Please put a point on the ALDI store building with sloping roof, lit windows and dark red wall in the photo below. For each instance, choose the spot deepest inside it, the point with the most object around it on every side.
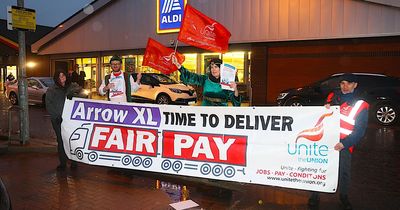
(274, 44)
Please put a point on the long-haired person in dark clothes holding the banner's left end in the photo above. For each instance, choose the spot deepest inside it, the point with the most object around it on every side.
(55, 99)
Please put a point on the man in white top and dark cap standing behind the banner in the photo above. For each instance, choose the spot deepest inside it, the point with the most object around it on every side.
(118, 85)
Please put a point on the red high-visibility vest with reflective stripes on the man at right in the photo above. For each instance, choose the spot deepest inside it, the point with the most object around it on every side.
(348, 115)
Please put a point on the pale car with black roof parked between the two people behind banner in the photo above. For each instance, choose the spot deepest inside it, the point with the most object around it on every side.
(161, 89)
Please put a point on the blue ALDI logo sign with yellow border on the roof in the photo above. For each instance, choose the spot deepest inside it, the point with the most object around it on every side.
(169, 15)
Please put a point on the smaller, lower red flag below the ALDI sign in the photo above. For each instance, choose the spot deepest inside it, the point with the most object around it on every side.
(159, 57)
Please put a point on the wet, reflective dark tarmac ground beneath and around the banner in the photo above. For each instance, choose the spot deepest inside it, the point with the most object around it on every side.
(33, 182)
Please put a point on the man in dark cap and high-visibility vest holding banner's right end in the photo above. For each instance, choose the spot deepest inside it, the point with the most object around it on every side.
(353, 123)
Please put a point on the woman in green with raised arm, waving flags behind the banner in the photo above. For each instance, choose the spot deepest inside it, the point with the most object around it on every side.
(213, 94)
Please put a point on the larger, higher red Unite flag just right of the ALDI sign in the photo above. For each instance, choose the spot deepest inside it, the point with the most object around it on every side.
(201, 31)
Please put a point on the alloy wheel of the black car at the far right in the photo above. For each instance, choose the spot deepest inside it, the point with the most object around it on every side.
(385, 114)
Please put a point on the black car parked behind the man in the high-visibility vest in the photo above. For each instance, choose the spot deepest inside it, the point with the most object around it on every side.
(380, 91)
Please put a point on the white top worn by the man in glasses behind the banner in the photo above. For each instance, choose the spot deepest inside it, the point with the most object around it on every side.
(117, 93)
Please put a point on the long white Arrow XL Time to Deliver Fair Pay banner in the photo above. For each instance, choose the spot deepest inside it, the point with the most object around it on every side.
(280, 146)
